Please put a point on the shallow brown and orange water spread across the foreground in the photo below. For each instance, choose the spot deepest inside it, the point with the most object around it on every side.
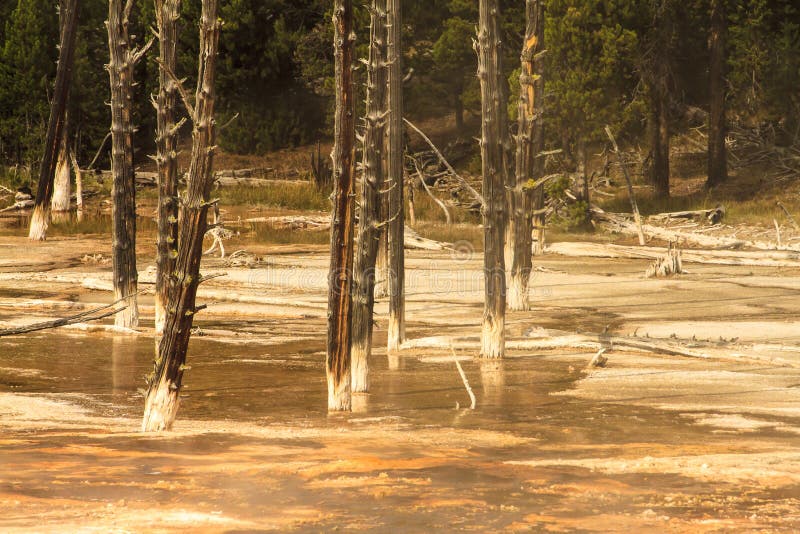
(254, 448)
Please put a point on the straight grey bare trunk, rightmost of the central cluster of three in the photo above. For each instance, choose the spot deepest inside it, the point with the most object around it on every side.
(395, 176)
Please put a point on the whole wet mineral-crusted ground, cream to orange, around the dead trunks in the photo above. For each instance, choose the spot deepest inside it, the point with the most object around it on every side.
(651, 443)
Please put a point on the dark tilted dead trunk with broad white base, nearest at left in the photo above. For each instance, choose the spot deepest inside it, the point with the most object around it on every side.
(161, 403)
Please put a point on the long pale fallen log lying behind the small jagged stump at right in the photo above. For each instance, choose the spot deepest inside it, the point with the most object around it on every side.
(714, 257)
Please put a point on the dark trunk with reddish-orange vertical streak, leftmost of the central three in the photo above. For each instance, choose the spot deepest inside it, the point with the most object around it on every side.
(340, 275)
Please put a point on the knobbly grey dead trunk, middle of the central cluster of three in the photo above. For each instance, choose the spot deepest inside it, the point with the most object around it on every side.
(369, 222)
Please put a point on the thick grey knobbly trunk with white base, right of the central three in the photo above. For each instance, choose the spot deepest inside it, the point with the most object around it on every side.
(490, 73)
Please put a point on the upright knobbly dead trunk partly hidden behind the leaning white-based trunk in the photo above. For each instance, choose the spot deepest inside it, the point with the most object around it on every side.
(167, 15)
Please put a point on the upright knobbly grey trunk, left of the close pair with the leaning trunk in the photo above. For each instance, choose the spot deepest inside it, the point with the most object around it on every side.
(120, 70)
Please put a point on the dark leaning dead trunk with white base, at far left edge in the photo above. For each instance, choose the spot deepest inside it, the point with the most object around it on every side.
(55, 126)
